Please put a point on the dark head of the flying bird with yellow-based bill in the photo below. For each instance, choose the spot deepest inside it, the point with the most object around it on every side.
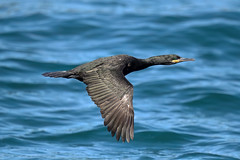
(167, 59)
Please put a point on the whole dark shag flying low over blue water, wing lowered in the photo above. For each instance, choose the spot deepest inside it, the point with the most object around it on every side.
(111, 91)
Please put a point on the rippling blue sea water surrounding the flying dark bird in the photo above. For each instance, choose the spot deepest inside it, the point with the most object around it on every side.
(187, 111)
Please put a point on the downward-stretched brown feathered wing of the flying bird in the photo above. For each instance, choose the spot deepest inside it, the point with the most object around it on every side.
(113, 93)
